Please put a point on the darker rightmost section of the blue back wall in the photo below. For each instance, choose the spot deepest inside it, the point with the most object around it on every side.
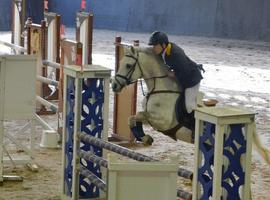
(247, 19)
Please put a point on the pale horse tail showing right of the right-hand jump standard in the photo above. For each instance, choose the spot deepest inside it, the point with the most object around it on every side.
(260, 147)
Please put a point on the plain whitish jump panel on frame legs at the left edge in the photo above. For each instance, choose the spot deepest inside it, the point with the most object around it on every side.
(17, 74)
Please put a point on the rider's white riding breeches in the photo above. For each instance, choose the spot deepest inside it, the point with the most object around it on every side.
(191, 97)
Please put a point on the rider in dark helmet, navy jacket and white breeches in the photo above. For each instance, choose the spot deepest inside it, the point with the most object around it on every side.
(186, 71)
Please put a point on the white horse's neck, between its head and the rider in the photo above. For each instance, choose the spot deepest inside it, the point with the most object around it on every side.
(152, 67)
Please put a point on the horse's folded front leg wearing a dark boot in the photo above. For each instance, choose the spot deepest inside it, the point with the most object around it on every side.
(135, 124)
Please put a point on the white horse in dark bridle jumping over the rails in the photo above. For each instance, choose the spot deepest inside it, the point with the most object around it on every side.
(163, 92)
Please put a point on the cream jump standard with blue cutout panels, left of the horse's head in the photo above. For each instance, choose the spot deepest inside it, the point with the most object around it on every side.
(86, 102)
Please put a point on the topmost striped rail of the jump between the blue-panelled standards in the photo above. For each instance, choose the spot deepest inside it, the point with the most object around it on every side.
(127, 152)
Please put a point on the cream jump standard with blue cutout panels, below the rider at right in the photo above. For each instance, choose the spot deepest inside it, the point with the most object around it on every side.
(223, 145)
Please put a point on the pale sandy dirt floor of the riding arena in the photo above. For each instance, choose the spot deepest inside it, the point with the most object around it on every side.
(237, 73)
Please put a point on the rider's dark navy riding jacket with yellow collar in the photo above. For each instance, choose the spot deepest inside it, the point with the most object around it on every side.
(187, 72)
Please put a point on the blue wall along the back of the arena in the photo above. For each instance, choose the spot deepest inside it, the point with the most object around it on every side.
(242, 19)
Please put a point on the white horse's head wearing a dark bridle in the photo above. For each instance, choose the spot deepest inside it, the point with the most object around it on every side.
(129, 69)
